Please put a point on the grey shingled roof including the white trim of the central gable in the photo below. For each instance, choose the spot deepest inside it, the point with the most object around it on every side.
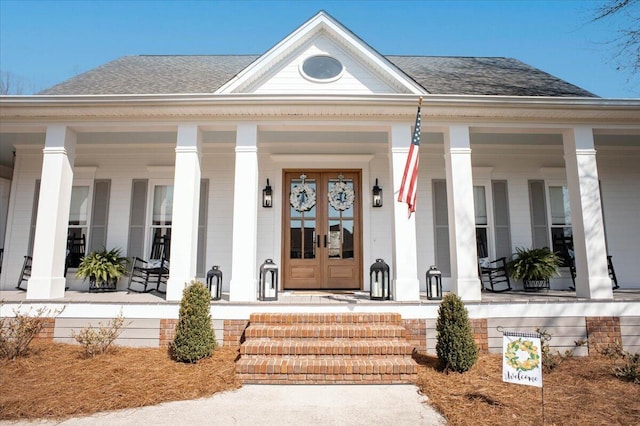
(211, 74)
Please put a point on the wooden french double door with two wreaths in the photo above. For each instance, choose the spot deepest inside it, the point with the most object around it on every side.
(322, 235)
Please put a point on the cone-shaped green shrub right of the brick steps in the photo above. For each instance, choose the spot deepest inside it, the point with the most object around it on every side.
(455, 347)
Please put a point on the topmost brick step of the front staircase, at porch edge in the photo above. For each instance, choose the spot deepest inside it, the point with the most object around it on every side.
(324, 318)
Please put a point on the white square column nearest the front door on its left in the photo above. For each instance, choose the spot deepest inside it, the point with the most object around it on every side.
(243, 284)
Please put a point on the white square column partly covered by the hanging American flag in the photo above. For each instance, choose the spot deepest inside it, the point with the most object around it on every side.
(406, 285)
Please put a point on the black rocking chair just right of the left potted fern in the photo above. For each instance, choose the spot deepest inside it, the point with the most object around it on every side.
(146, 273)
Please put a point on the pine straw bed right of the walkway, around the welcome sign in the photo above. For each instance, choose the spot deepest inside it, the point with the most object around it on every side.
(580, 391)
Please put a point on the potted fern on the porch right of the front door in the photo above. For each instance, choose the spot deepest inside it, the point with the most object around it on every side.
(534, 267)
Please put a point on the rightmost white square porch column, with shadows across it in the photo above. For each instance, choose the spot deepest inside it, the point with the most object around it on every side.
(592, 278)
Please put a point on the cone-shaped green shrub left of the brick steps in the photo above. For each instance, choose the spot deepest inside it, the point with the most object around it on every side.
(195, 338)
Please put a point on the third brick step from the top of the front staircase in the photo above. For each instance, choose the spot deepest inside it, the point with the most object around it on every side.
(326, 348)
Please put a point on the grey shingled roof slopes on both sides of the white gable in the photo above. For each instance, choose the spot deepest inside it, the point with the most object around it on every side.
(206, 74)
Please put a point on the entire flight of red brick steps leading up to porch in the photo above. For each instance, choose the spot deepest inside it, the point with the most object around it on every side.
(368, 348)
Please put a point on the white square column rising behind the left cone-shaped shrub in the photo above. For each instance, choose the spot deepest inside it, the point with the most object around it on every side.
(186, 207)
